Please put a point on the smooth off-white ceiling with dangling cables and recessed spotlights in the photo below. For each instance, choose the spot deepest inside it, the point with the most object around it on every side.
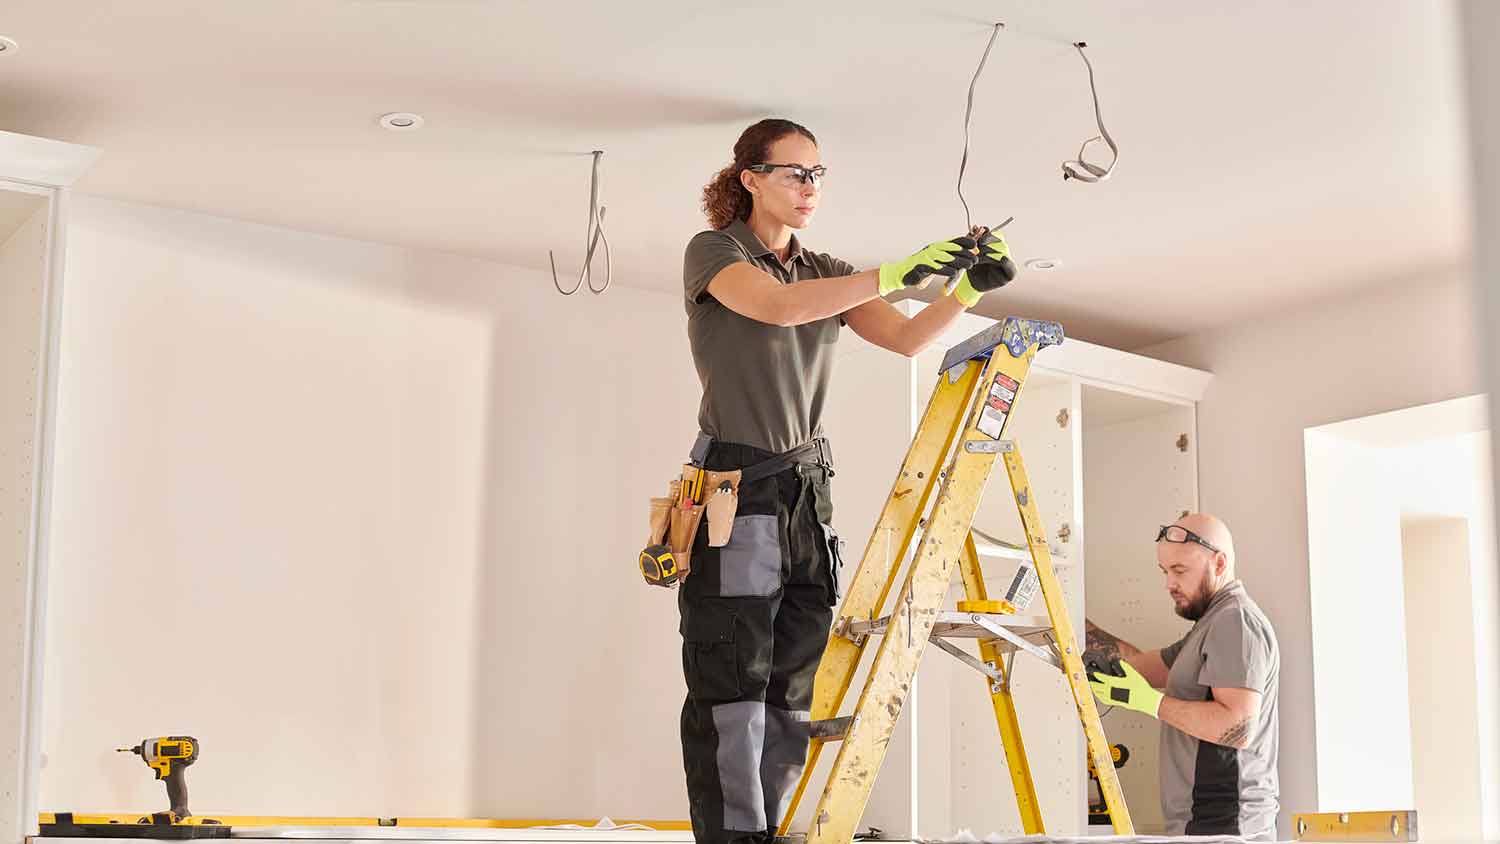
(1270, 152)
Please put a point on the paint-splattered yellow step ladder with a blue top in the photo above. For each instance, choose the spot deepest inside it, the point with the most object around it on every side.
(953, 453)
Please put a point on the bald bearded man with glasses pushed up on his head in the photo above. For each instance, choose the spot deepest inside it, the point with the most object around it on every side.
(1219, 737)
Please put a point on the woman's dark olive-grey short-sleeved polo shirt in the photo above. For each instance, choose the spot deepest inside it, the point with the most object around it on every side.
(764, 385)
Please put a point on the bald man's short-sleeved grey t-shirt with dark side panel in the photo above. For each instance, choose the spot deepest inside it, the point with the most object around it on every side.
(1210, 789)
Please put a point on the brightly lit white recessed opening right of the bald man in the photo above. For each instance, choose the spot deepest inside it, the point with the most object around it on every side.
(1396, 506)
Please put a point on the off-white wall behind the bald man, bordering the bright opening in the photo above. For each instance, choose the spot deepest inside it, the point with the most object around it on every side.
(1277, 376)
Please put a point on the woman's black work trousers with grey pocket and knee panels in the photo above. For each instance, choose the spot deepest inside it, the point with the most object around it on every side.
(755, 623)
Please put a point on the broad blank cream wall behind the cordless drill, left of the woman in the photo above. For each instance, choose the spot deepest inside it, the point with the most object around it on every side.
(376, 513)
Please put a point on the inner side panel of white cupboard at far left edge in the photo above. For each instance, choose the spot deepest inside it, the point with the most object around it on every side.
(22, 295)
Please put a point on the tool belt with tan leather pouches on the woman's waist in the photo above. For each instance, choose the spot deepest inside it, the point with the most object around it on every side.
(715, 494)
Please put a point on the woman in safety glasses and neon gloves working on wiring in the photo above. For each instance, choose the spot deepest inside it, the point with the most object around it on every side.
(764, 316)
